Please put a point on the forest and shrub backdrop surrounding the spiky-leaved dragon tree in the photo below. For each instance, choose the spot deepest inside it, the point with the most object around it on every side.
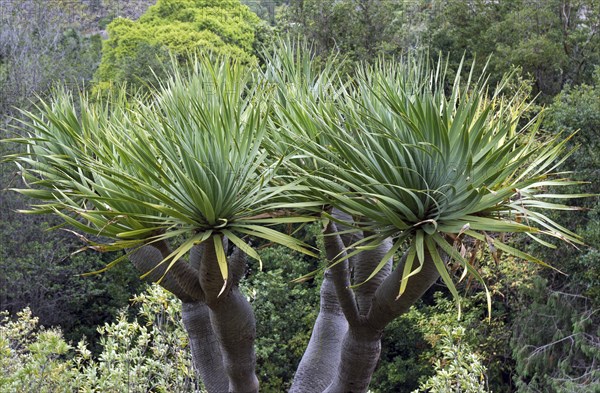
(545, 330)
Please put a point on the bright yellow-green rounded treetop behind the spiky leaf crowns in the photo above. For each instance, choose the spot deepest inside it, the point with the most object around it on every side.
(137, 52)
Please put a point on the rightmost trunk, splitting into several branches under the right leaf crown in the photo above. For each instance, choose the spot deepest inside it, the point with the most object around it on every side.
(377, 305)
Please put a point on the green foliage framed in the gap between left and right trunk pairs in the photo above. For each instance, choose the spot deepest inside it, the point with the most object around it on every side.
(285, 314)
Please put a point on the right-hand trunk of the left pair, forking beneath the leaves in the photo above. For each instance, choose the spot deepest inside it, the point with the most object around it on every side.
(232, 320)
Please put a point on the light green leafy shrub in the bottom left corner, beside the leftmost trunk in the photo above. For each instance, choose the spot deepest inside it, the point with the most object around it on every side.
(148, 353)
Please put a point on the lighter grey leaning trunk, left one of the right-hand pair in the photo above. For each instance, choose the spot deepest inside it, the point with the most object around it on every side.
(319, 362)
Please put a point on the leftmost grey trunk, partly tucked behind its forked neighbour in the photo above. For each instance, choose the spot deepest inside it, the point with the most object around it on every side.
(205, 348)
